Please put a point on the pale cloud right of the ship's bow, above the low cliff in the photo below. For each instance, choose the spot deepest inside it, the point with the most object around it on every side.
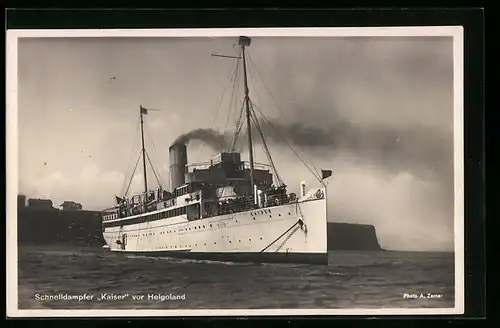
(408, 213)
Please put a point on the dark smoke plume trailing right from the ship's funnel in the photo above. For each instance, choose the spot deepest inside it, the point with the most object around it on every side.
(396, 149)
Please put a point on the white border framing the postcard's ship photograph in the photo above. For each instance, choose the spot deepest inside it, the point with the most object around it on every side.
(12, 162)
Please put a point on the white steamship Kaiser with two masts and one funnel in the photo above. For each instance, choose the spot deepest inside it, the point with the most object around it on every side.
(225, 210)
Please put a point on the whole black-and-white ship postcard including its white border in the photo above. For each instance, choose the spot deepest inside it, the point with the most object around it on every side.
(195, 172)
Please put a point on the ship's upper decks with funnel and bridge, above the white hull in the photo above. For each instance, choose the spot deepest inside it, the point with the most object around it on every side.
(199, 187)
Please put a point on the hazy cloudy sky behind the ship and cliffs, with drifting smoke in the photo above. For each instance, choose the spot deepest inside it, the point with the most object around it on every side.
(378, 111)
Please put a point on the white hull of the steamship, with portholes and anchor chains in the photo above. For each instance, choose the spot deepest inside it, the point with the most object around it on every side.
(272, 234)
